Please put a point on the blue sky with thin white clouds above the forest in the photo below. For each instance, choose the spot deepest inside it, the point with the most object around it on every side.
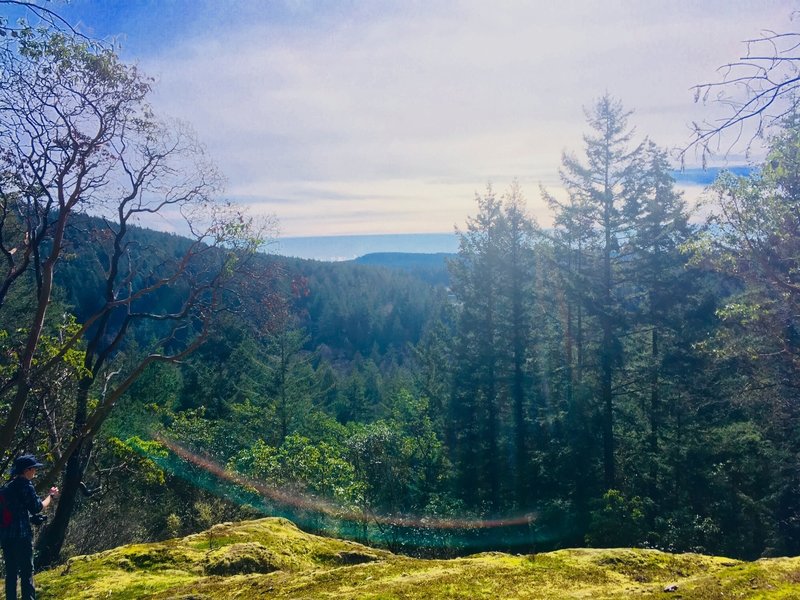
(344, 117)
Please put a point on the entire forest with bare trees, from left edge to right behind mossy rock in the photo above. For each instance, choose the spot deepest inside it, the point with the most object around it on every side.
(626, 377)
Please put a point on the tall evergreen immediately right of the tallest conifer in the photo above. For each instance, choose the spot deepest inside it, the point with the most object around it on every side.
(660, 294)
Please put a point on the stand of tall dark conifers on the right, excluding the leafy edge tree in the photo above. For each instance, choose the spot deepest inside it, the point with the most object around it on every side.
(579, 382)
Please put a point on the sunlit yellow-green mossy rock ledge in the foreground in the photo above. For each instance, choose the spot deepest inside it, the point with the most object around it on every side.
(271, 558)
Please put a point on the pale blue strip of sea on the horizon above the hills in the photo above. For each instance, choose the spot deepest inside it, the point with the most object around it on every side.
(349, 247)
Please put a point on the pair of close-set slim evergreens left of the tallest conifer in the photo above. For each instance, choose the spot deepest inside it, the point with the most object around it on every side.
(493, 354)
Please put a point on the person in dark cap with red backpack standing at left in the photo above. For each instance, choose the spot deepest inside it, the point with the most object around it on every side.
(17, 542)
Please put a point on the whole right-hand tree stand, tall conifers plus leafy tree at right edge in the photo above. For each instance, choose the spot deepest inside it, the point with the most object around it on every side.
(626, 368)
